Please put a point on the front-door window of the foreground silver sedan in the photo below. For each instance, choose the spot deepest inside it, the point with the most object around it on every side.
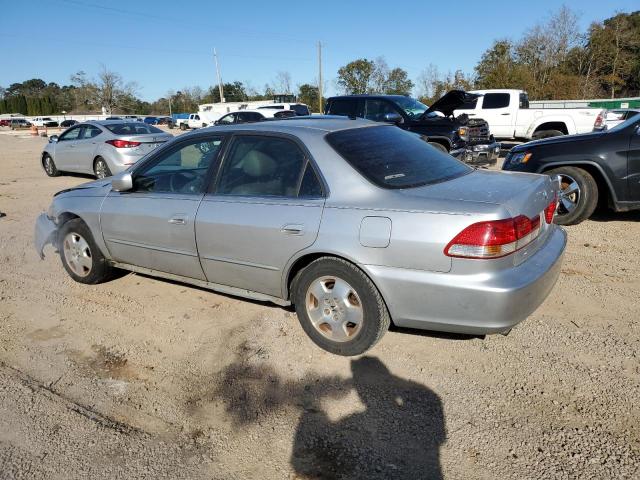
(182, 169)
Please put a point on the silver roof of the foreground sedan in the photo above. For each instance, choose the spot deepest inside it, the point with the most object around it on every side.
(323, 123)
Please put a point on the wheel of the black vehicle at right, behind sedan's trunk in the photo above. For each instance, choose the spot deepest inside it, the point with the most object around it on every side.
(585, 198)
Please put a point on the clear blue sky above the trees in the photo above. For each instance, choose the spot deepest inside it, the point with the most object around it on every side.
(166, 45)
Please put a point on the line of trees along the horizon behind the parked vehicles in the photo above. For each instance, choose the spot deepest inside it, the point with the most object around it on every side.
(552, 60)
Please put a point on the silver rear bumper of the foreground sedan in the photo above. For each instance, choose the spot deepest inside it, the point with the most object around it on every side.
(471, 304)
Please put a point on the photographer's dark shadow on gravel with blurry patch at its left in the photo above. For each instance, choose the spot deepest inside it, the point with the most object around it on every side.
(397, 435)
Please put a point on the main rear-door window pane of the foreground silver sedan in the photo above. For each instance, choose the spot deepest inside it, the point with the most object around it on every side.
(262, 166)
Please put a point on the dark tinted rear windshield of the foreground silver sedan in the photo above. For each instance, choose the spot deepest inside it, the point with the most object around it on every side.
(394, 158)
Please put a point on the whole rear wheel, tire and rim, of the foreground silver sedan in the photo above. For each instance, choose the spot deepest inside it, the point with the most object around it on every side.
(339, 307)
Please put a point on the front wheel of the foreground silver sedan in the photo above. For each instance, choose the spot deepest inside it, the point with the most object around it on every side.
(99, 269)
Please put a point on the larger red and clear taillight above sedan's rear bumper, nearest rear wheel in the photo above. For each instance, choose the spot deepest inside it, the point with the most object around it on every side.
(495, 238)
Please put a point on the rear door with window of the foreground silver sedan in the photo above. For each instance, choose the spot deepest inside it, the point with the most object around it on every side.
(265, 207)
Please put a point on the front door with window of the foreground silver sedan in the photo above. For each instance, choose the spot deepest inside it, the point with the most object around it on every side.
(152, 225)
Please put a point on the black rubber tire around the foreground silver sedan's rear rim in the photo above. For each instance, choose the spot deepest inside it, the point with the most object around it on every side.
(366, 297)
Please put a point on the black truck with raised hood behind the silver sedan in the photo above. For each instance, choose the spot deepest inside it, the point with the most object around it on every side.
(464, 138)
